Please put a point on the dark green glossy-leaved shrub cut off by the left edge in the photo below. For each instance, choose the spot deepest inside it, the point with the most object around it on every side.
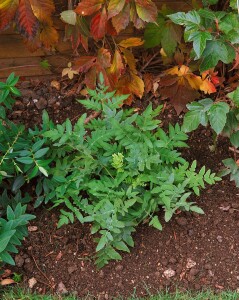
(16, 167)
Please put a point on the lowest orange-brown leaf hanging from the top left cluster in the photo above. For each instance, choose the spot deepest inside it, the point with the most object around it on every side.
(48, 36)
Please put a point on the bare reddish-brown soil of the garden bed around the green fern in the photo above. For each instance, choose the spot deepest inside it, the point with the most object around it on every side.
(192, 252)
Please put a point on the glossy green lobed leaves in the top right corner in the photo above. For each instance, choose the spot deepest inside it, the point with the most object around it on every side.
(214, 34)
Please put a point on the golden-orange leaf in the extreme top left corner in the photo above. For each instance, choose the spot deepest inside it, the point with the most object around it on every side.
(7, 13)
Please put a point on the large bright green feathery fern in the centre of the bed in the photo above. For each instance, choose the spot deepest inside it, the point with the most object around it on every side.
(118, 170)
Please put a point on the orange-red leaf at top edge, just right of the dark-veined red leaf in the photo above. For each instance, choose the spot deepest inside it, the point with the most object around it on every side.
(43, 9)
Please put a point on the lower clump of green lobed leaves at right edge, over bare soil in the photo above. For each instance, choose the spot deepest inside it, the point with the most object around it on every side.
(223, 118)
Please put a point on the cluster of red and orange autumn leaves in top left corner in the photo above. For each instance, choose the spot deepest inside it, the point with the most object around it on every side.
(33, 19)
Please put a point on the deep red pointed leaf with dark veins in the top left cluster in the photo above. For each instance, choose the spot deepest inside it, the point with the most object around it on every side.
(27, 23)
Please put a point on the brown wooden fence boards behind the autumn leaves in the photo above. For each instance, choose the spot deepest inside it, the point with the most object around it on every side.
(14, 54)
